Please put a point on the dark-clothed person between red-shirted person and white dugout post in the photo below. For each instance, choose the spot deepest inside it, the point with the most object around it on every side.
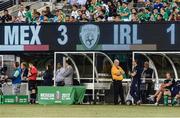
(48, 75)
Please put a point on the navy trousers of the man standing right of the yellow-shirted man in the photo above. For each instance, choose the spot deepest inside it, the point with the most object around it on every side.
(135, 89)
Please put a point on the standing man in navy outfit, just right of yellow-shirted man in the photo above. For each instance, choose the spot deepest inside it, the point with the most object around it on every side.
(135, 84)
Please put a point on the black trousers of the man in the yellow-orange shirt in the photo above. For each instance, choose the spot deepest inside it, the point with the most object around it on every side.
(118, 91)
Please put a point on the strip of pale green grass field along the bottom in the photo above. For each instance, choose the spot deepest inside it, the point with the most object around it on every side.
(87, 111)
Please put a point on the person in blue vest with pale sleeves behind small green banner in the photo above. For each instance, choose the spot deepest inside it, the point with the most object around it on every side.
(16, 79)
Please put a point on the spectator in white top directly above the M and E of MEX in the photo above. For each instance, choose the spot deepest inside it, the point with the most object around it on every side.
(21, 14)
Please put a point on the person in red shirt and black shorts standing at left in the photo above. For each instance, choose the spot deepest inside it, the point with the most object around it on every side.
(32, 82)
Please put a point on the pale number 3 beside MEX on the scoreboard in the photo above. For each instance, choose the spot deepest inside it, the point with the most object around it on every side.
(64, 39)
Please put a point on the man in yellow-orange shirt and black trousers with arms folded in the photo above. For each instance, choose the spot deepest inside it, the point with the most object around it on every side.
(117, 75)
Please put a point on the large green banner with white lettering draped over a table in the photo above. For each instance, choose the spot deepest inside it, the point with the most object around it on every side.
(61, 95)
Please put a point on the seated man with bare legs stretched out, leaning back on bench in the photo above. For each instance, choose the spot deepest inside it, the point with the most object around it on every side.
(165, 89)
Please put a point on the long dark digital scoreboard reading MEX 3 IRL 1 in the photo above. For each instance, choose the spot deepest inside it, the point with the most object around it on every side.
(90, 36)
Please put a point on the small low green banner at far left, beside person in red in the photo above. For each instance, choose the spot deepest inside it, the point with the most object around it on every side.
(14, 99)
